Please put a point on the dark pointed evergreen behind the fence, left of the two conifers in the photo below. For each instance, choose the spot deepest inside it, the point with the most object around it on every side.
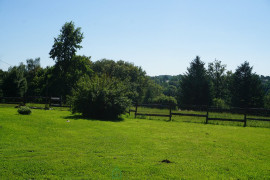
(195, 87)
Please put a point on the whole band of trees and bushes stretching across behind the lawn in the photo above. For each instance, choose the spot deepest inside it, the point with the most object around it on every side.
(120, 82)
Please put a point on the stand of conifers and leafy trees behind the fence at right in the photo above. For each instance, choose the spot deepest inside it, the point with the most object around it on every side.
(215, 86)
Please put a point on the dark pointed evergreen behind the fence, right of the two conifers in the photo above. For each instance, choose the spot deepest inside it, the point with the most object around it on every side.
(246, 87)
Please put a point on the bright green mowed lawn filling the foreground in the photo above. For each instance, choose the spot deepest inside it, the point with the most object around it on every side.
(55, 144)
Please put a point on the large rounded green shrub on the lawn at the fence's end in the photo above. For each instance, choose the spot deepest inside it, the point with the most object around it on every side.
(100, 97)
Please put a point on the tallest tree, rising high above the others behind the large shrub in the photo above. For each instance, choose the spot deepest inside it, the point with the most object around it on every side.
(63, 52)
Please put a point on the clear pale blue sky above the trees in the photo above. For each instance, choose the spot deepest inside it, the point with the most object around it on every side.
(160, 36)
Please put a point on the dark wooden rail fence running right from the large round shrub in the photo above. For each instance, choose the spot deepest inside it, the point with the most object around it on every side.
(243, 112)
